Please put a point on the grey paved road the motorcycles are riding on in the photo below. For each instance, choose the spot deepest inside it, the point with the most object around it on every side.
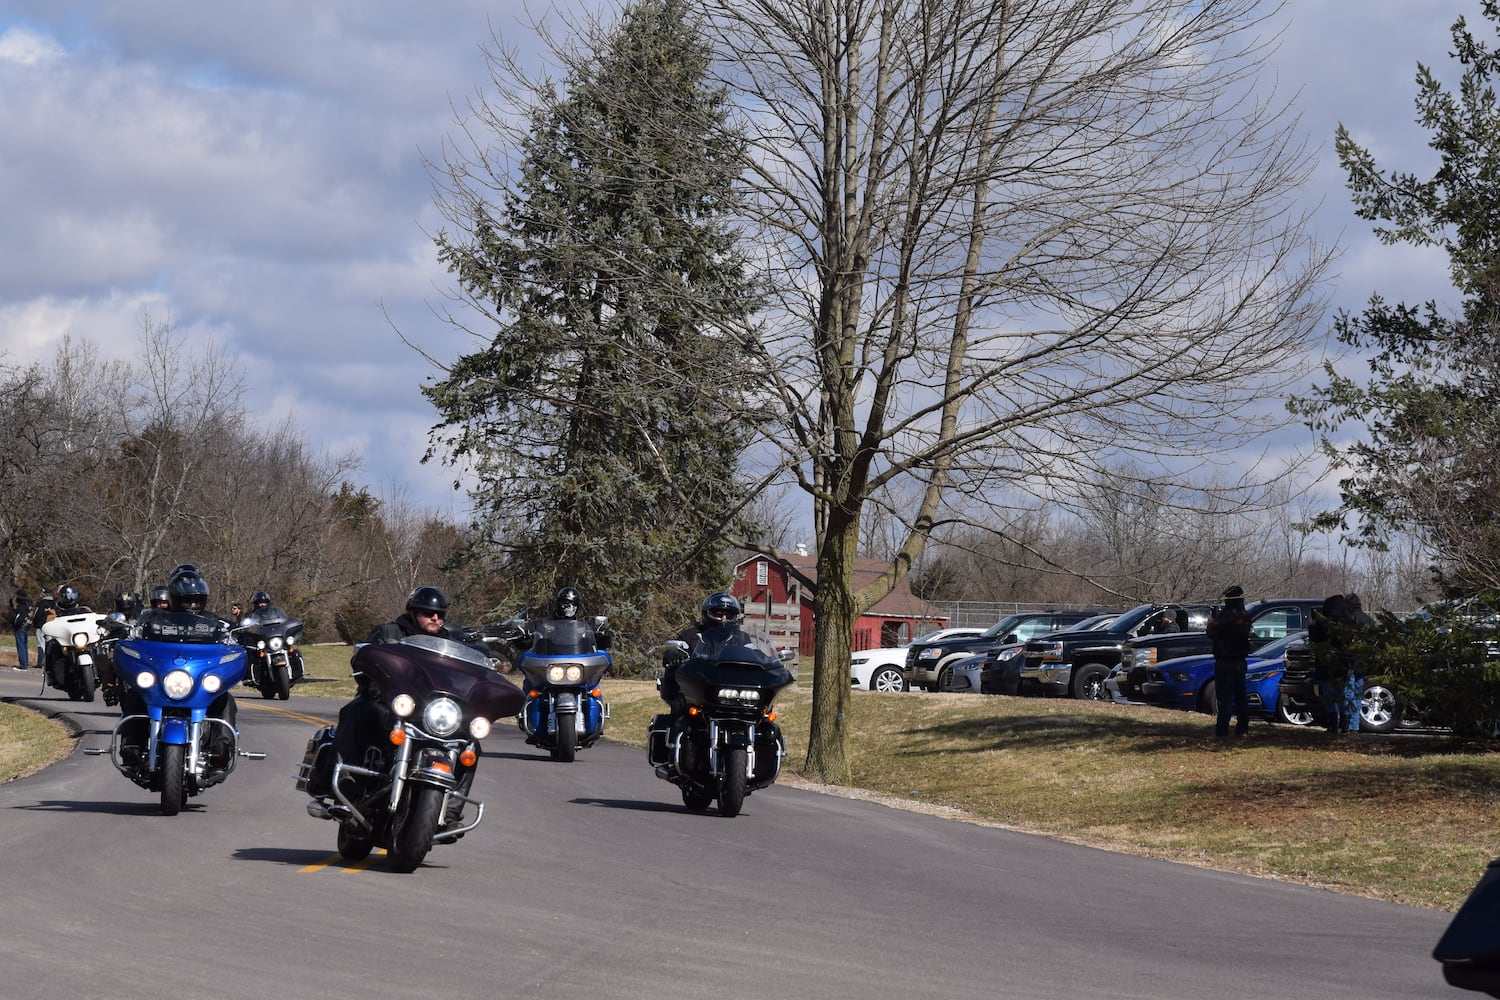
(592, 881)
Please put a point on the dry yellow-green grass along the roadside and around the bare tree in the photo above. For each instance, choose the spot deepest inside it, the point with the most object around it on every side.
(1411, 819)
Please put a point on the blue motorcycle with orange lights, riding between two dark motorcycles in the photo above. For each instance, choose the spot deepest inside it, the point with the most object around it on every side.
(563, 668)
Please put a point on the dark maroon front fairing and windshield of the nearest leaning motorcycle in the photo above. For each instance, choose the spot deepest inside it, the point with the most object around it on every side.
(428, 666)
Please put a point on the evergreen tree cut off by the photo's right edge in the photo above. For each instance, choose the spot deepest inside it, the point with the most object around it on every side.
(1430, 409)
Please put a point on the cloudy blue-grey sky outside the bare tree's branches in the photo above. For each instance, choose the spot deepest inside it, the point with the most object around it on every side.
(256, 173)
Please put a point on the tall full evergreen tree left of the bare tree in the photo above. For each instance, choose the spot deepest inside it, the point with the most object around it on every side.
(605, 415)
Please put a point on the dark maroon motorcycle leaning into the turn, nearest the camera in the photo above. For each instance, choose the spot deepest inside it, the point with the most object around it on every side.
(443, 698)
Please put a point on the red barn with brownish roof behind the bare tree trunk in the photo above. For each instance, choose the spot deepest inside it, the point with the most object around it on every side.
(782, 606)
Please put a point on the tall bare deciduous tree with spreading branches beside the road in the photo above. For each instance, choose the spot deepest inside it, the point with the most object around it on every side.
(1018, 244)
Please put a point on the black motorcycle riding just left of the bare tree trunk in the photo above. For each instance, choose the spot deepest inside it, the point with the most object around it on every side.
(728, 744)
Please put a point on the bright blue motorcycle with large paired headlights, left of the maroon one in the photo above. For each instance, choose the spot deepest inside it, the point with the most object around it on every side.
(176, 734)
